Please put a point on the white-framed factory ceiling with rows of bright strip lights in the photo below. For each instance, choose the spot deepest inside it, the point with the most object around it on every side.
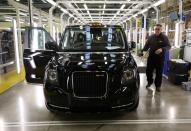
(85, 11)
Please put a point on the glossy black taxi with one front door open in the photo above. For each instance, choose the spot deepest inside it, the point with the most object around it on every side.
(91, 68)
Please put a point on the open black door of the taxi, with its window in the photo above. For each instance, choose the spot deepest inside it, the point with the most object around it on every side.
(36, 56)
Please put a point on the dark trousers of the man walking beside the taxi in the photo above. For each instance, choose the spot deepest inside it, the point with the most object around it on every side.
(154, 63)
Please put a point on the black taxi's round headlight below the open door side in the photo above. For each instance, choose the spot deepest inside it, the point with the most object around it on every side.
(52, 76)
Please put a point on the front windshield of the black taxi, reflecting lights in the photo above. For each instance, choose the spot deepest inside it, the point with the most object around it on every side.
(93, 38)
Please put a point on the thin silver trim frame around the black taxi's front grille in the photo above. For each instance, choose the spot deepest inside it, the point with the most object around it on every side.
(104, 96)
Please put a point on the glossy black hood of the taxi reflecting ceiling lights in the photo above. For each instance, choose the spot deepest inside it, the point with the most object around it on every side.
(92, 61)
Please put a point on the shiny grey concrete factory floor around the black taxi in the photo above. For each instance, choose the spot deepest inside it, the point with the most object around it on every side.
(22, 109)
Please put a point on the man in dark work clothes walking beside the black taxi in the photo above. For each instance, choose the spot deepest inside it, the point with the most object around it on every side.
(156, 46)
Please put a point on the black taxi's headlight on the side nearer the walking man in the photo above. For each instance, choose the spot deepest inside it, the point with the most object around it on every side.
(127, 75)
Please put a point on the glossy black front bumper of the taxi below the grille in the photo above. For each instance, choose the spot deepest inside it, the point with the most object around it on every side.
(123, 98)
